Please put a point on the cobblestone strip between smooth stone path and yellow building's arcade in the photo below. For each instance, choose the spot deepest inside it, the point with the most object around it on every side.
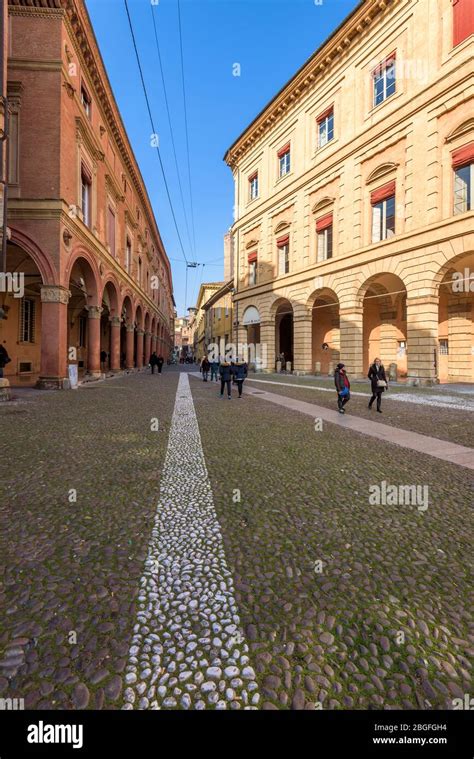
(444, 423)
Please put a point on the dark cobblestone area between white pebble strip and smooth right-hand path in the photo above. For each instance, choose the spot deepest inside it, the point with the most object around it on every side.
(344, 604)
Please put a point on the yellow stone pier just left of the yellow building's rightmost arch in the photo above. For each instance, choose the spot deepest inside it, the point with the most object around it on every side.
(422, 339)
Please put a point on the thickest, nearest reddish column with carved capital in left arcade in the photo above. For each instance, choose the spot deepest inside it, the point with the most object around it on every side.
(54, 348)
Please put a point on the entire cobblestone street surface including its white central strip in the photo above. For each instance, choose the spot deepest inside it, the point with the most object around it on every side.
(231, 558)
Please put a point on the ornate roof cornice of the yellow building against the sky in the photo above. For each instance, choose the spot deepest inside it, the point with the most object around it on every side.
(307, 77)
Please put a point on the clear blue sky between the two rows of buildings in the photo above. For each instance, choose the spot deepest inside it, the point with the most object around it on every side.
(270, 39)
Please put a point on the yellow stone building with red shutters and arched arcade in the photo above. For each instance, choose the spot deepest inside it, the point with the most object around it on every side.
(353, 233)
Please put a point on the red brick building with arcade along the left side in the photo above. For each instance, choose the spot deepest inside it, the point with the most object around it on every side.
(83, 237)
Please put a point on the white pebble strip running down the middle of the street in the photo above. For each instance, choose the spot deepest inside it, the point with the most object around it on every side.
(188, 649)
